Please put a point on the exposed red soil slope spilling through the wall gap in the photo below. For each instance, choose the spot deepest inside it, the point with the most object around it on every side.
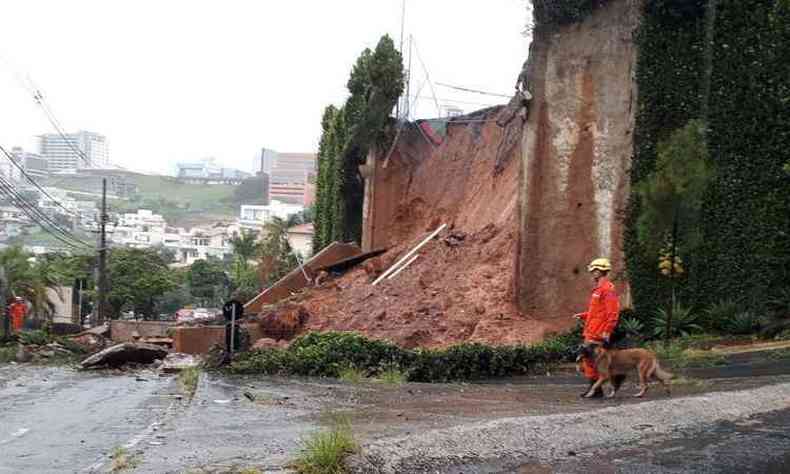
(461, 287)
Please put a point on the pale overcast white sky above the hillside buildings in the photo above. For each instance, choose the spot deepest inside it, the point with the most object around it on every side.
(178, 80)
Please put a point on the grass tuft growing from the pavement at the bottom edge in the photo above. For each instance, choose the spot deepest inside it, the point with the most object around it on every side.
(324, 452)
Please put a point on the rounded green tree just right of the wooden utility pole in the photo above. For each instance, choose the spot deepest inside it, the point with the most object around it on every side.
(138, 278)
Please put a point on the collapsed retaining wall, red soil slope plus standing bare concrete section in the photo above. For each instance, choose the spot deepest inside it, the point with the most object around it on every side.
(525, 214)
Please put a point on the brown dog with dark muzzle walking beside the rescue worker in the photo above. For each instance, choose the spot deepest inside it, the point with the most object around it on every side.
(613, 364)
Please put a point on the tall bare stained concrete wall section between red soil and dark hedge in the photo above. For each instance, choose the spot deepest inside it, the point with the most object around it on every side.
(576, 152)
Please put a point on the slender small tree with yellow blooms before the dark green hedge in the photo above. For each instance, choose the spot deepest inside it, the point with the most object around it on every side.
(672, 198)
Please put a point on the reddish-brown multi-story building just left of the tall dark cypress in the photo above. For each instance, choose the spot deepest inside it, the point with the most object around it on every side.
(289, 174)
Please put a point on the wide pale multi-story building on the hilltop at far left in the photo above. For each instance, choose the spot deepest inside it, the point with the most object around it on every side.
(71, 152)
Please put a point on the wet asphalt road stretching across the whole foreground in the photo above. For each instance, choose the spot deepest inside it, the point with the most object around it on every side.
(58, 420)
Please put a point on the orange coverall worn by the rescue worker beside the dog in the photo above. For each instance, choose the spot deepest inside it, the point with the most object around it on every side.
(601, 318)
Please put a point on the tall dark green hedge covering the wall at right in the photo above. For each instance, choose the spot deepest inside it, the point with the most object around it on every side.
(737, 82)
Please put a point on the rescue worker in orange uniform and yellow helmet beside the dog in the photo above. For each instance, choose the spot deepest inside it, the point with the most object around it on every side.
(601, 317)
